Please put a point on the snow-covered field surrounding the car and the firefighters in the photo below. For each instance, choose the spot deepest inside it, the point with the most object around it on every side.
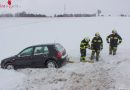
(110, 73)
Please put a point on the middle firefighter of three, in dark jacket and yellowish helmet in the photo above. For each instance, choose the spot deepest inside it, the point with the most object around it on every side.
(96, 46)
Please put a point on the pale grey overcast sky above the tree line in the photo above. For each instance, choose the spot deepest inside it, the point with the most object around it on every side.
(51, 7)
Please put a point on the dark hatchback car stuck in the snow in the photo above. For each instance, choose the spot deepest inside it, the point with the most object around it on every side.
(46, 55)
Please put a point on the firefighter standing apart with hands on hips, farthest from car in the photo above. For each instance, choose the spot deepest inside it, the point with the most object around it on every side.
(114, 40)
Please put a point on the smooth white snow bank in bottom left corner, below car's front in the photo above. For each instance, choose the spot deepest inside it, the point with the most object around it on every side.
(10, 79)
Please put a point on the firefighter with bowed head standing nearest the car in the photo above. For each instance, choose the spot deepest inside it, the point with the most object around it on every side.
(83, 46)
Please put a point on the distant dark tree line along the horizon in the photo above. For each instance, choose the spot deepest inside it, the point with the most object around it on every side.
(24, 14)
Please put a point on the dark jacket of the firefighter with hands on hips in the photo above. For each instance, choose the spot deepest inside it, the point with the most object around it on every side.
(115, 39)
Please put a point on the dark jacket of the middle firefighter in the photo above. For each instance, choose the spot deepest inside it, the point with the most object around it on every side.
(97, 43)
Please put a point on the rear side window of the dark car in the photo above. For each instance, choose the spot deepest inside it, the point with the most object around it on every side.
(41, 50)
